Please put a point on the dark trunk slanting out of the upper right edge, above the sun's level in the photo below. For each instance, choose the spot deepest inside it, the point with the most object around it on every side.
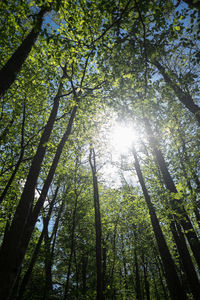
(184, 98)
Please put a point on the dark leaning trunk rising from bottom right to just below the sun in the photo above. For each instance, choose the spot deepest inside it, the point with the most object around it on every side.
(172, 278)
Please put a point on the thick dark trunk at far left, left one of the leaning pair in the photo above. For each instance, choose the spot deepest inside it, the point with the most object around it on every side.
(12, 252)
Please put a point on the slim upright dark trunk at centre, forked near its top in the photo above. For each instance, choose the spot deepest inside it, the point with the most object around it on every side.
(92, 160)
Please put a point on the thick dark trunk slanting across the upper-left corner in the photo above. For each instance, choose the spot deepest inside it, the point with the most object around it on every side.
(13, 66)
